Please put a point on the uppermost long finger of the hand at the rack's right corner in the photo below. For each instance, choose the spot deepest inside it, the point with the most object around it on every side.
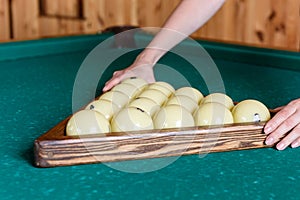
(279, 118)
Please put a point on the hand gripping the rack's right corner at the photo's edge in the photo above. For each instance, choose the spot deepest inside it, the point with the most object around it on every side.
(285, 126)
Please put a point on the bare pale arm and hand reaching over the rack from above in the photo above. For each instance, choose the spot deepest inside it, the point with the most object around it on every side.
(189, 16)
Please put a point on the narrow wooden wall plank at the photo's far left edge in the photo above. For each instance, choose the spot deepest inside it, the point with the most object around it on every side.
(4, 20)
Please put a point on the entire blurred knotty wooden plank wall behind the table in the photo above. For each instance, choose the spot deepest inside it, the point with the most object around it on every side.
(266, 23)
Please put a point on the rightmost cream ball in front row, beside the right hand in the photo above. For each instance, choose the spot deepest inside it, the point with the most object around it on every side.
(250, 111)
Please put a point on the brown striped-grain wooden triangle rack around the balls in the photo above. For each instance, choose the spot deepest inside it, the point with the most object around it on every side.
(54, 148)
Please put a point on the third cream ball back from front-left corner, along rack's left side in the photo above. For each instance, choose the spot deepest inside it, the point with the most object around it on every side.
(118, 98)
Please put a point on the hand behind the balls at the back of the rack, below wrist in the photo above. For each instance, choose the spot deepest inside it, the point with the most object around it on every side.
(137, 69)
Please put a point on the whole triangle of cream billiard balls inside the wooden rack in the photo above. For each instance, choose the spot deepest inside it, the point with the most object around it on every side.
(135, 105)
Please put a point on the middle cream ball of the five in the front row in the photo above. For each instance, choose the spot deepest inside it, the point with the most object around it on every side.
(173, 116)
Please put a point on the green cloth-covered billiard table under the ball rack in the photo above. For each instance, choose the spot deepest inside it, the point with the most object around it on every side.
(37, 80)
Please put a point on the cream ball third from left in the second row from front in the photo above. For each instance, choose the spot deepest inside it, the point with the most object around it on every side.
(184, 101)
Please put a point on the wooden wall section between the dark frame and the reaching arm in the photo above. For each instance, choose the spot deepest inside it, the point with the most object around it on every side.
(131, 12)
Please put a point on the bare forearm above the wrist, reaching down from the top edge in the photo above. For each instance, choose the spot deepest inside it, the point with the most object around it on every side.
(189, 16)
